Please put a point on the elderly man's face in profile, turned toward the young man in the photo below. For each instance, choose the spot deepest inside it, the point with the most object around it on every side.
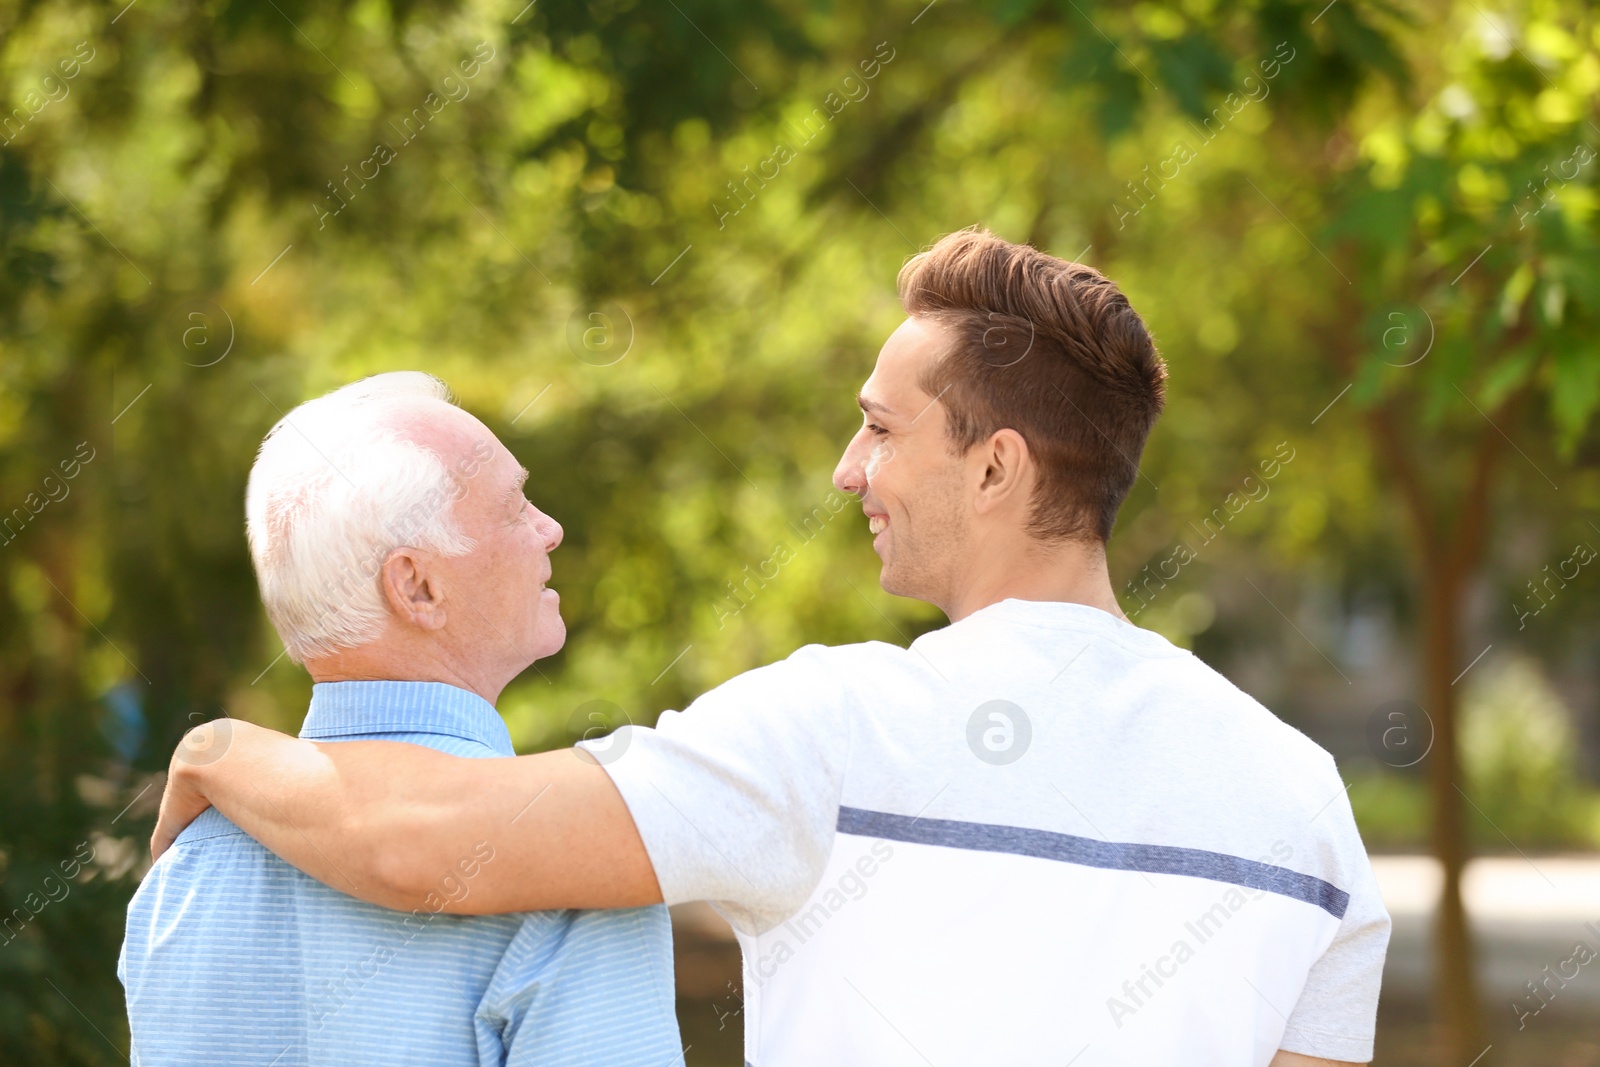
(498, 607)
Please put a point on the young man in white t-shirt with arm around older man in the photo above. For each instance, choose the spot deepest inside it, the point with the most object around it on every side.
(1039, 836)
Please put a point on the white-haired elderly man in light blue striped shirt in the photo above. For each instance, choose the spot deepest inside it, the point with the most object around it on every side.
(402, 565)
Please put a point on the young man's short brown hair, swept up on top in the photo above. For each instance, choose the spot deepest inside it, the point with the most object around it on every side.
(1050, 350)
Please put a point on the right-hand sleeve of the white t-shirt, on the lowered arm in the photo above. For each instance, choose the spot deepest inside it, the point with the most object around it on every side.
(1337, 1013)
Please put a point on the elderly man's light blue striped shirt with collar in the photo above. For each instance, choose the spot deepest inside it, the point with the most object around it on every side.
(234, 957)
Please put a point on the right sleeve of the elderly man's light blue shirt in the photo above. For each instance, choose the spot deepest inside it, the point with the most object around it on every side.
(577, 989)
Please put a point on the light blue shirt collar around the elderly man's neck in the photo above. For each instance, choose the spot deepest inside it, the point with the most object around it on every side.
(346, 709)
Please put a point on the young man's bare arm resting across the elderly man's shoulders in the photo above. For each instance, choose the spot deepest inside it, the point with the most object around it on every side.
(401, 825)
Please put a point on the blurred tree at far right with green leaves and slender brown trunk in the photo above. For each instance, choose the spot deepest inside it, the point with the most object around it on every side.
(1468, 326)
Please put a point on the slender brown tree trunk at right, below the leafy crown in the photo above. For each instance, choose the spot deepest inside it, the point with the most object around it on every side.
(1455, 978)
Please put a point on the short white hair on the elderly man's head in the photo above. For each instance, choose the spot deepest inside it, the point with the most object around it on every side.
(334, 492)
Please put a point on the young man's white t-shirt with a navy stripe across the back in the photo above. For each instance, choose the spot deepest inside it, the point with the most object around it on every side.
(1039, 836)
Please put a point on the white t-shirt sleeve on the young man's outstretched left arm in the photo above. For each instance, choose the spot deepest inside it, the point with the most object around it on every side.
(737, 797)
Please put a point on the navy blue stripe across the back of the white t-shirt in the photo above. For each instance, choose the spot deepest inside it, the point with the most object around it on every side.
(1161, 860)
